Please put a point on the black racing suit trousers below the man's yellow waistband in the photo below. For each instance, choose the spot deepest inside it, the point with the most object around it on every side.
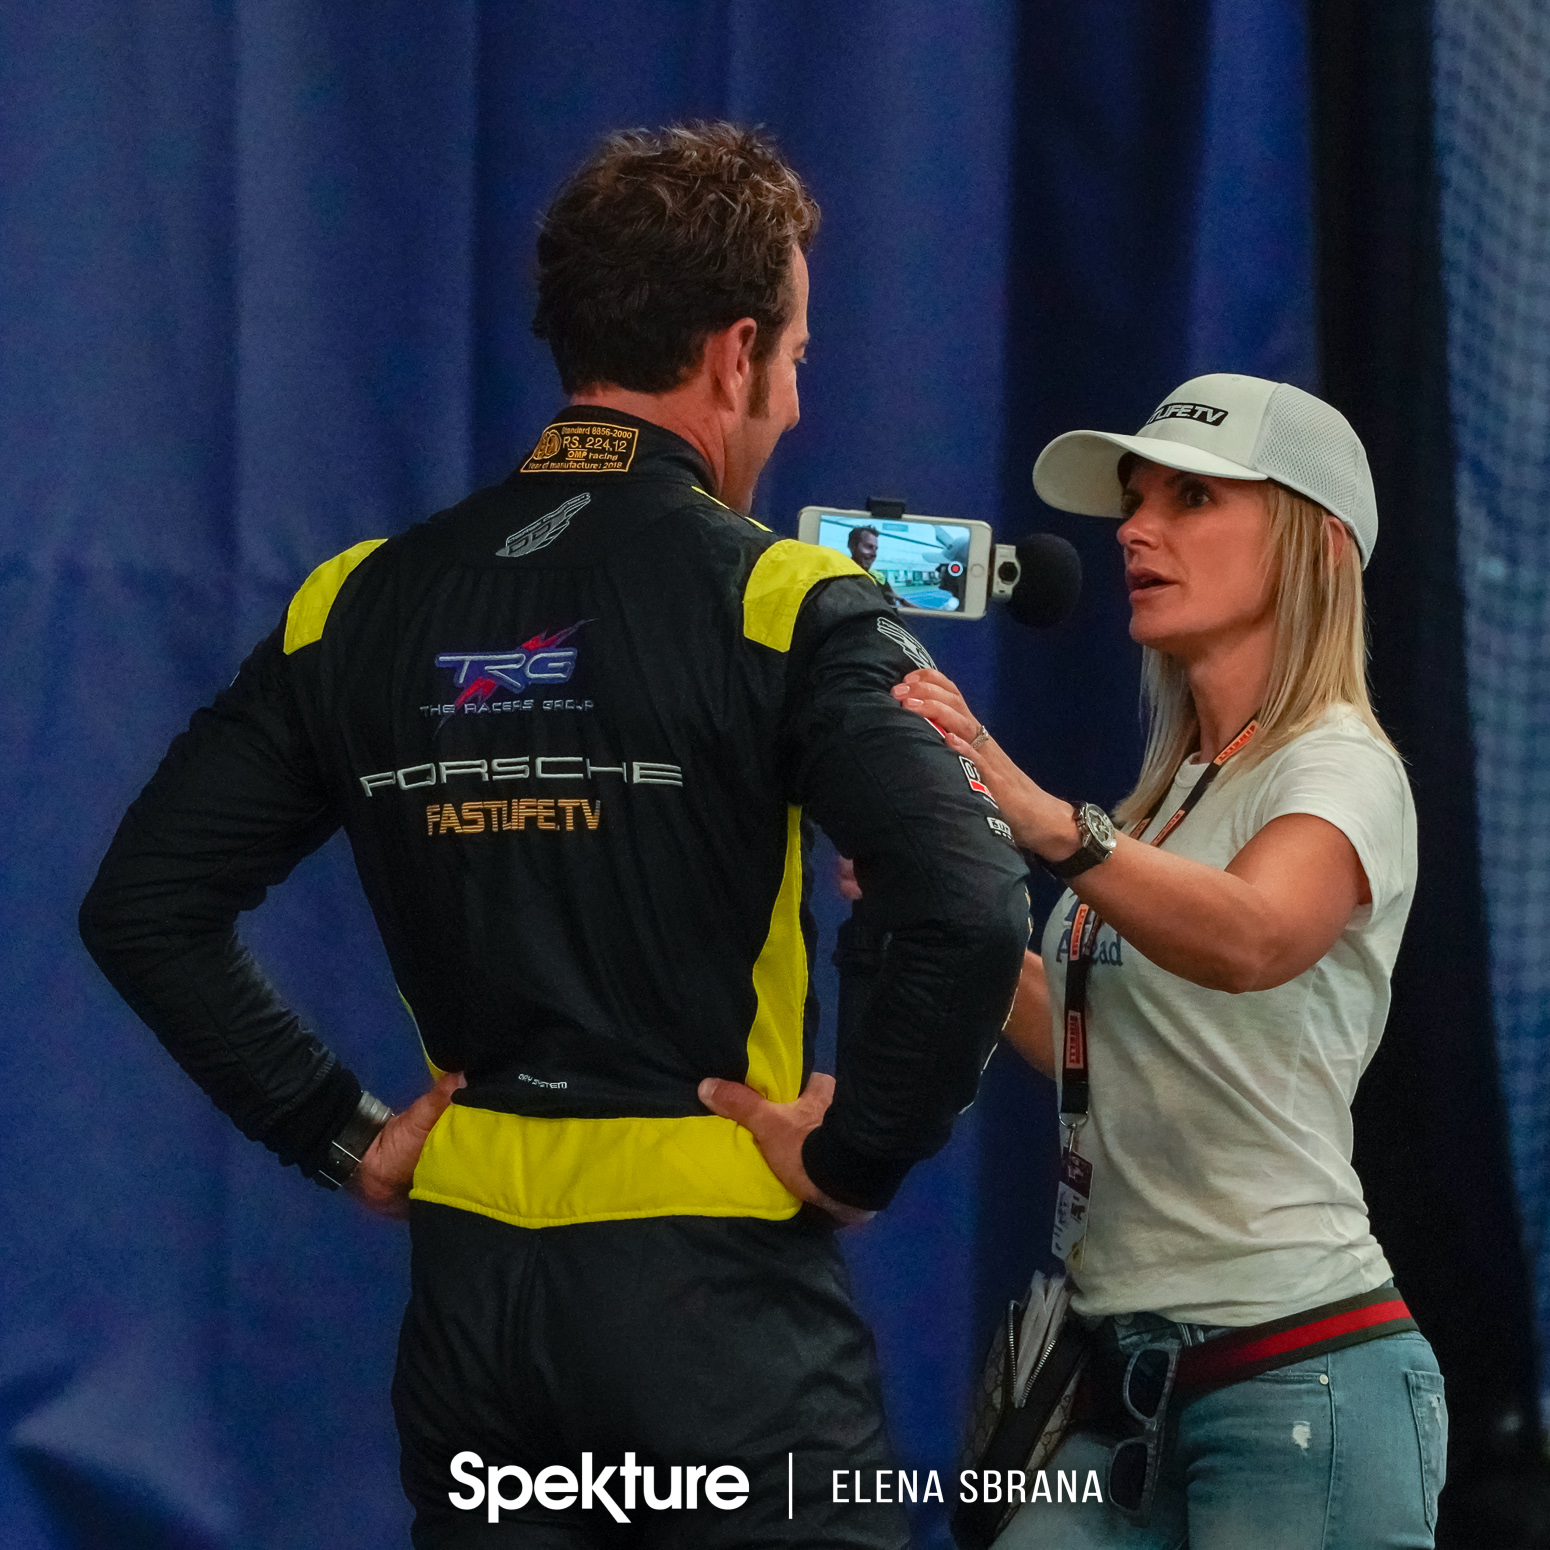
(684, 1342)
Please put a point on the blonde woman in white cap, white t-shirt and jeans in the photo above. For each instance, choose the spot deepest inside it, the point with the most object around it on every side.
(1211, 988)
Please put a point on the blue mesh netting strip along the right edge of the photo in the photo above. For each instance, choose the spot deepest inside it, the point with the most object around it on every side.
(1493, 143)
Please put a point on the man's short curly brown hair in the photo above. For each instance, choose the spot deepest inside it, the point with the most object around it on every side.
(661, 239)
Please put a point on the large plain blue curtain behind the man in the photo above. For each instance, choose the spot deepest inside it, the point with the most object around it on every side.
(264, 292)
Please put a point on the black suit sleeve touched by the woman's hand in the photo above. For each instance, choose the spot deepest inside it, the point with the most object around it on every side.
(937, 870)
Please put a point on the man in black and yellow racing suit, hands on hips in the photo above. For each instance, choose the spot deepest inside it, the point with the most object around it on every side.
(577, 731)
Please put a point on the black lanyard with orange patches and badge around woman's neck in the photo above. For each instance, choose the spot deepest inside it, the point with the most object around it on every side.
(1075, 1190)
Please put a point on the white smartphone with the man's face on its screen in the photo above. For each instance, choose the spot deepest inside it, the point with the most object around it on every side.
(931, 565)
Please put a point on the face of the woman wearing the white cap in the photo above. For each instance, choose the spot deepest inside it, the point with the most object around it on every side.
(1196, 551)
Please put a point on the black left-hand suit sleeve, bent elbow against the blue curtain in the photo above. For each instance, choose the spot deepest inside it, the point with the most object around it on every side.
(236, 804)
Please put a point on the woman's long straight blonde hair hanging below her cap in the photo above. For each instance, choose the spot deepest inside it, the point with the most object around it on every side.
(1320, 660)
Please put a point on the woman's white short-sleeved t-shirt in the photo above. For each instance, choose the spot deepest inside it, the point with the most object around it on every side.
(1221, 1131)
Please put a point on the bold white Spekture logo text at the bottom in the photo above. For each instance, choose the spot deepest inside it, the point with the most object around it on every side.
(557, 1487)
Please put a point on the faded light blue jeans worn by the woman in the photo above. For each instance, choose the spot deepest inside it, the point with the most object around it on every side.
(1346, 1452)
